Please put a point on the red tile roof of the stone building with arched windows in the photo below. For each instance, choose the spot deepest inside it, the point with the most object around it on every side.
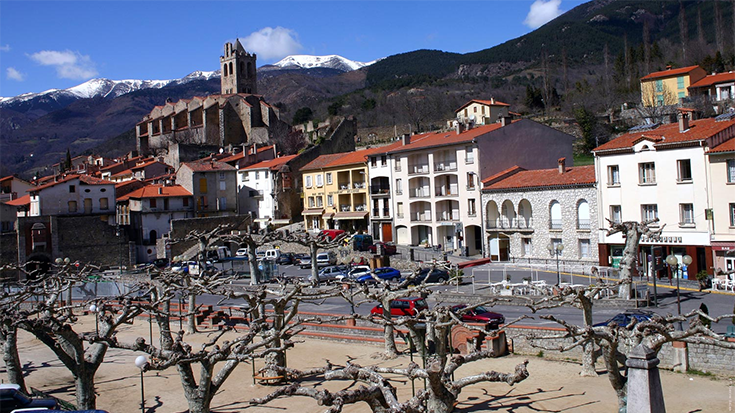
(519, 178)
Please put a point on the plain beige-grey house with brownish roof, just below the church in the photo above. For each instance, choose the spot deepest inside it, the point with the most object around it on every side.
(213, 184)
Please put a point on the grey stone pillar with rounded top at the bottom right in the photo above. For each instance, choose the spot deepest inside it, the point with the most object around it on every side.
(645, 394)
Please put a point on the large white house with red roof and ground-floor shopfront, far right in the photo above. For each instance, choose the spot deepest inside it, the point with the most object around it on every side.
(660, 172)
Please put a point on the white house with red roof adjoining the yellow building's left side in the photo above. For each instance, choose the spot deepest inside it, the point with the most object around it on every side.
(265, 191)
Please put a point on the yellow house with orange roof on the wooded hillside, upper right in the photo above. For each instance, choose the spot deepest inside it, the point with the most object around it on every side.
(668, 86)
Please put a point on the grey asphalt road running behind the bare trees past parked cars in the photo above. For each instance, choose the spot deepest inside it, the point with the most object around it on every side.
(690, 298)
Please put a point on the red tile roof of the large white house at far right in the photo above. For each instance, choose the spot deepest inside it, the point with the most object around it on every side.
(669, 133)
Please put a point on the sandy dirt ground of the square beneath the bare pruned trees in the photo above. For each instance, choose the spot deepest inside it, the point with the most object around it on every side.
(551, 387)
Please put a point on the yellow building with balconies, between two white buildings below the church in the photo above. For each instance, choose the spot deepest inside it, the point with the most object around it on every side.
(335, 189)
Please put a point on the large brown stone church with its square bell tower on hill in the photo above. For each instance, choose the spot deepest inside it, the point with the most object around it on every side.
(236, 116)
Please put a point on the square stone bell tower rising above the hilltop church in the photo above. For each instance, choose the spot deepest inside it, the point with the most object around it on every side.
(238, 70)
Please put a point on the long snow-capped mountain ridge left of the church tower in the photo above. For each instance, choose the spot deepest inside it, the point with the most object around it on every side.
(105, 88)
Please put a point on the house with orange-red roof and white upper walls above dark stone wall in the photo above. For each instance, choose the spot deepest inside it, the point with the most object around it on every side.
(147, 212)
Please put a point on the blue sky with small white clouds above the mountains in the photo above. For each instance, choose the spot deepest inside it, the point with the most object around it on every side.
(59, 44)
